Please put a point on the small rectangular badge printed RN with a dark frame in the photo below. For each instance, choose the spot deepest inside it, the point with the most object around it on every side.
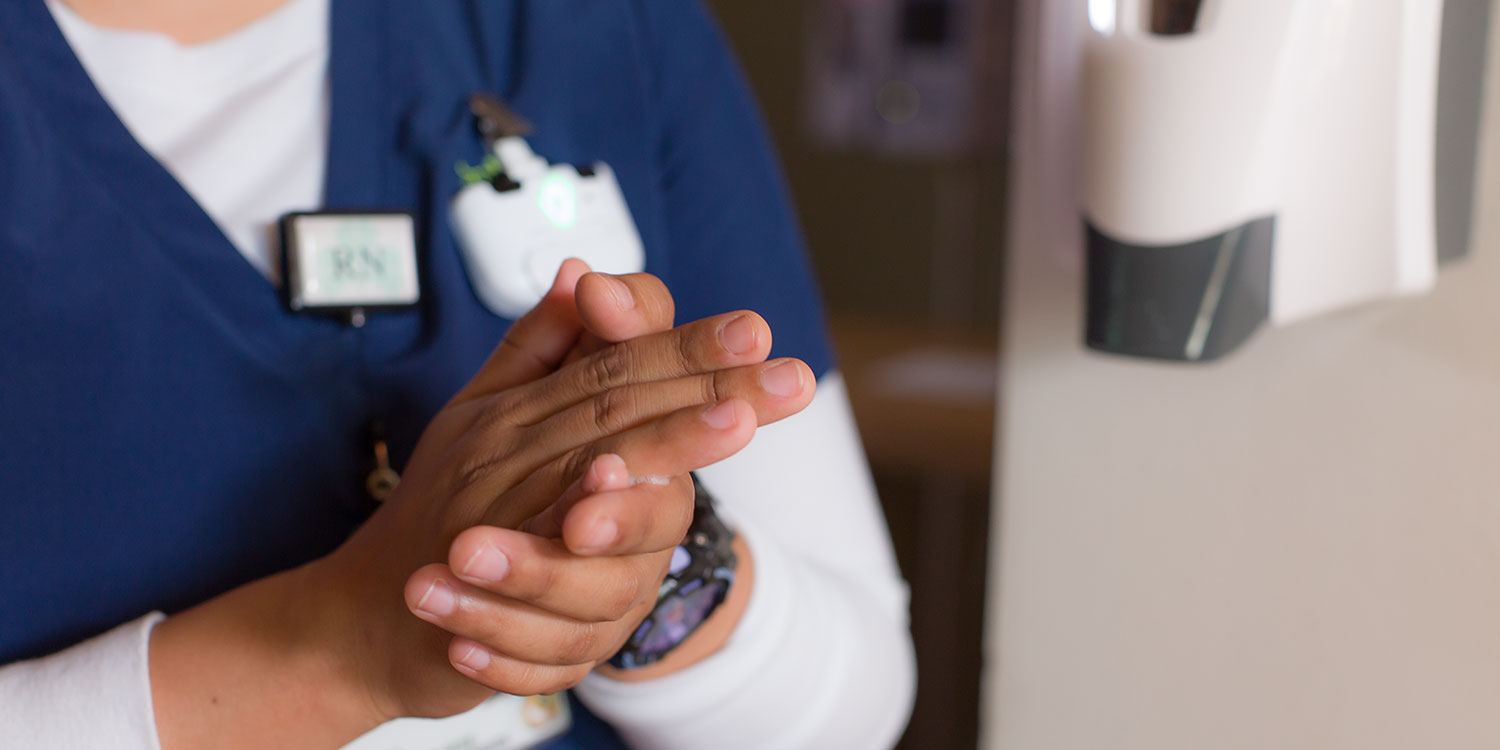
(350, 262)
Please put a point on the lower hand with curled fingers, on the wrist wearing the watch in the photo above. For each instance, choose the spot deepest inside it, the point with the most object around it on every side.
(533, 616)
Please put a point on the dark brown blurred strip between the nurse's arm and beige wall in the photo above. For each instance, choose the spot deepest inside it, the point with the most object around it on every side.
(890, 119)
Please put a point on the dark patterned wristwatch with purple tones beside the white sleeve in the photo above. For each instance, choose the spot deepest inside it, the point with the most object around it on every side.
(698, 581)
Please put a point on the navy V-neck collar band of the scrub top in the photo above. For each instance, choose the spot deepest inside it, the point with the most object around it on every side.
(110, 155)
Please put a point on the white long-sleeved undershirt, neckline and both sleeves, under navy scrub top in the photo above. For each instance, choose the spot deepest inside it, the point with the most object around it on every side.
(823, 656)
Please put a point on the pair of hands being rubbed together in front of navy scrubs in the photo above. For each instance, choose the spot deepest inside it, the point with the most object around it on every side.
(536, 518)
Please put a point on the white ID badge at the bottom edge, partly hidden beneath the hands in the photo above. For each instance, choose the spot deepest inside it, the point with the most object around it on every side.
(502, 724)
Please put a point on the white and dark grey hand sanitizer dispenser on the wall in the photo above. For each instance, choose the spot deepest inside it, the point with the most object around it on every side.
(1249, 161)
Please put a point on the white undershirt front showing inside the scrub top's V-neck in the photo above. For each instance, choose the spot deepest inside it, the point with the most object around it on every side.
(242, 122)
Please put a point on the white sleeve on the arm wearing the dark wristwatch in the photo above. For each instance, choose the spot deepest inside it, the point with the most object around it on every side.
(824, 638)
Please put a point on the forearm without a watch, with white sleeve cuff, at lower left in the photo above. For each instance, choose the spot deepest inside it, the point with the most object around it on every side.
(245, 670)
